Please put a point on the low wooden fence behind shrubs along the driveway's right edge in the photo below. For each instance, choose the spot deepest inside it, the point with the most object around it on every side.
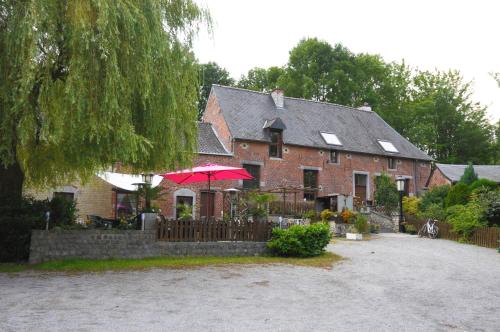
(485, 237)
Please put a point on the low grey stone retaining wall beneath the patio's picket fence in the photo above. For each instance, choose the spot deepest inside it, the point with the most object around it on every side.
(102, 244)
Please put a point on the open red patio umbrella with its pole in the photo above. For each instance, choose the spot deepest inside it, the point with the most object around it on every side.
(208, 172)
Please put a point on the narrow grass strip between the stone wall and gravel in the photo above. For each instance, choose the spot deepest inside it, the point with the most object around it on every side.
(325, 260)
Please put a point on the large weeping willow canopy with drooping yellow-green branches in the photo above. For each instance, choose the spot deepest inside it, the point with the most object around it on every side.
(87, 83)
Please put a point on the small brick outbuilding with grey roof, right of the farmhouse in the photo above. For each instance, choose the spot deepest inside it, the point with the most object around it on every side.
(444, 174)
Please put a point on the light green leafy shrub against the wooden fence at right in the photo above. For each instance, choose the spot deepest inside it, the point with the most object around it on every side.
(465, 219)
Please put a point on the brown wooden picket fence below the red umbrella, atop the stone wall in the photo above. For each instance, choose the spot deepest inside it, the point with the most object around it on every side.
(202, 231)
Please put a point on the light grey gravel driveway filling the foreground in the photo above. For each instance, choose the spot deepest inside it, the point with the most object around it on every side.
(396, 282)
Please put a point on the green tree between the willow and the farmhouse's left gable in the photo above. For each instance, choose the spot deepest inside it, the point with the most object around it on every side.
(210, 73)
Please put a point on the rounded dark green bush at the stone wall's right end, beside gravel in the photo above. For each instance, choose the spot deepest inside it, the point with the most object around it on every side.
(300, 241)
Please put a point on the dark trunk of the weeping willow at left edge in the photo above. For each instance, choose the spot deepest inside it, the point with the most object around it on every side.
(11, 184)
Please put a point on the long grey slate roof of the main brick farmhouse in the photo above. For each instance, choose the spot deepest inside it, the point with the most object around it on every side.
(246, 112)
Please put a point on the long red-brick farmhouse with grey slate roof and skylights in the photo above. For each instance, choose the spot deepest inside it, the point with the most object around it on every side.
(324, 150)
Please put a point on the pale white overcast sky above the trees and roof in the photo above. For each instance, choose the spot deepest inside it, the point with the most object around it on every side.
(427, 34)
